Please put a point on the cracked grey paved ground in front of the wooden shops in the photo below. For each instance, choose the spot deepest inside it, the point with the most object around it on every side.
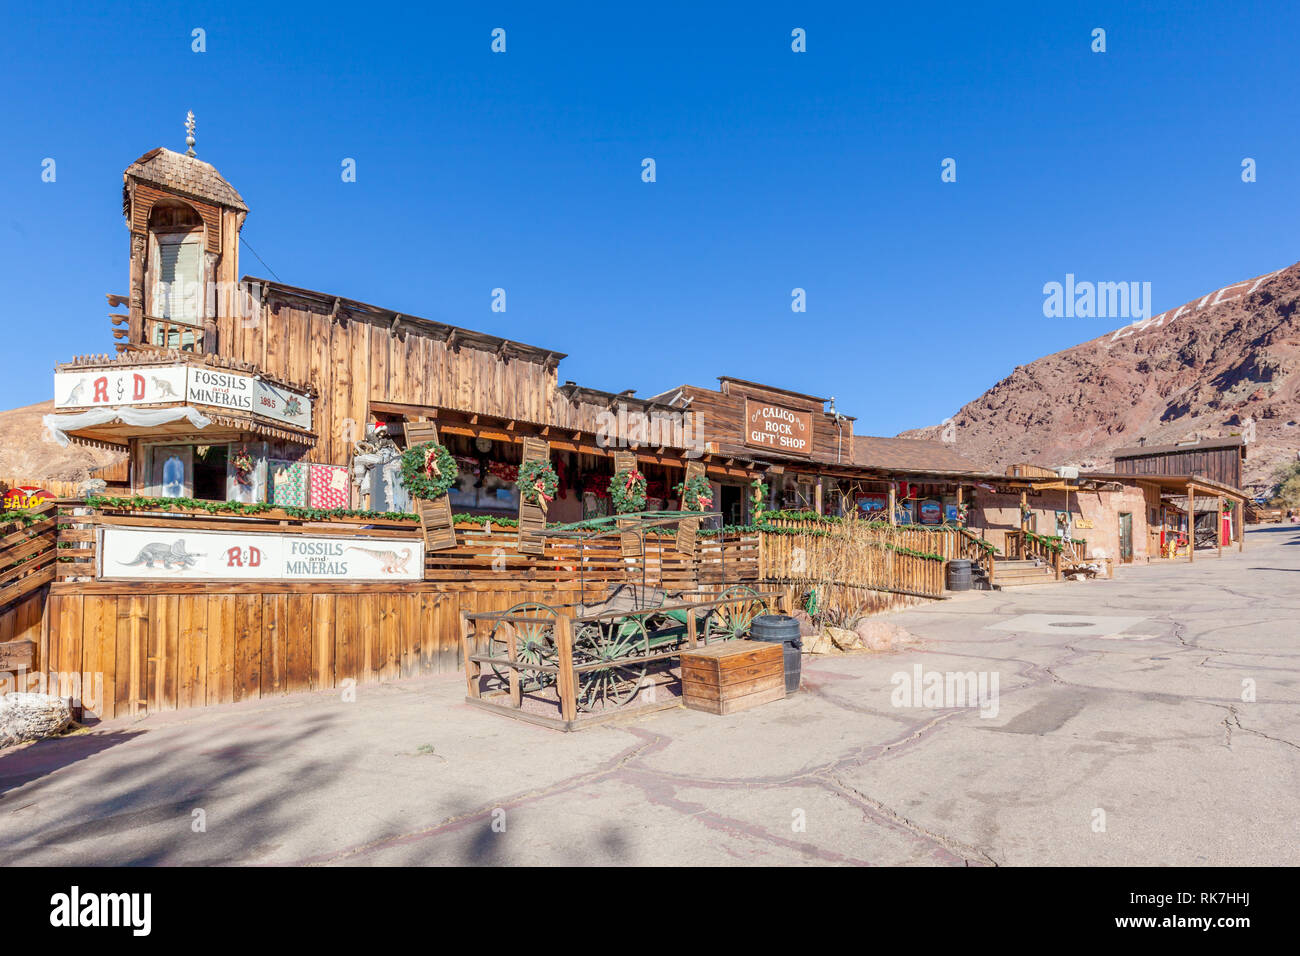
(1125, 741)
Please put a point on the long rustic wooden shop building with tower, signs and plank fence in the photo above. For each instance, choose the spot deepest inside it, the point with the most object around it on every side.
(268, 546)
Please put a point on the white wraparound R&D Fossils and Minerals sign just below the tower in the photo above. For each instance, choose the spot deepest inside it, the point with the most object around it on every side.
(176, 384)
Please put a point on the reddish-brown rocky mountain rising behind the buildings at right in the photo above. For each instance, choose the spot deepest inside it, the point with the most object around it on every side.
(1227, 364)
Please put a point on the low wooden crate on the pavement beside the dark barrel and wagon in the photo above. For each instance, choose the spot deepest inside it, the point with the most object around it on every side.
(735, 676)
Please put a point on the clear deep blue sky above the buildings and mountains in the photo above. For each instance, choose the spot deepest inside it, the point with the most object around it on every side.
(775, 170)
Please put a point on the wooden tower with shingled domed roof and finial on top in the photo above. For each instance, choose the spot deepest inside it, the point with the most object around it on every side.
(185, 222)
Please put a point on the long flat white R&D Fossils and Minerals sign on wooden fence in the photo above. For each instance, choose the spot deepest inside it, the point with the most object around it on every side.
(180, 555)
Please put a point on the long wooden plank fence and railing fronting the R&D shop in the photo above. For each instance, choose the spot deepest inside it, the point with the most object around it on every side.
(137, 647)
